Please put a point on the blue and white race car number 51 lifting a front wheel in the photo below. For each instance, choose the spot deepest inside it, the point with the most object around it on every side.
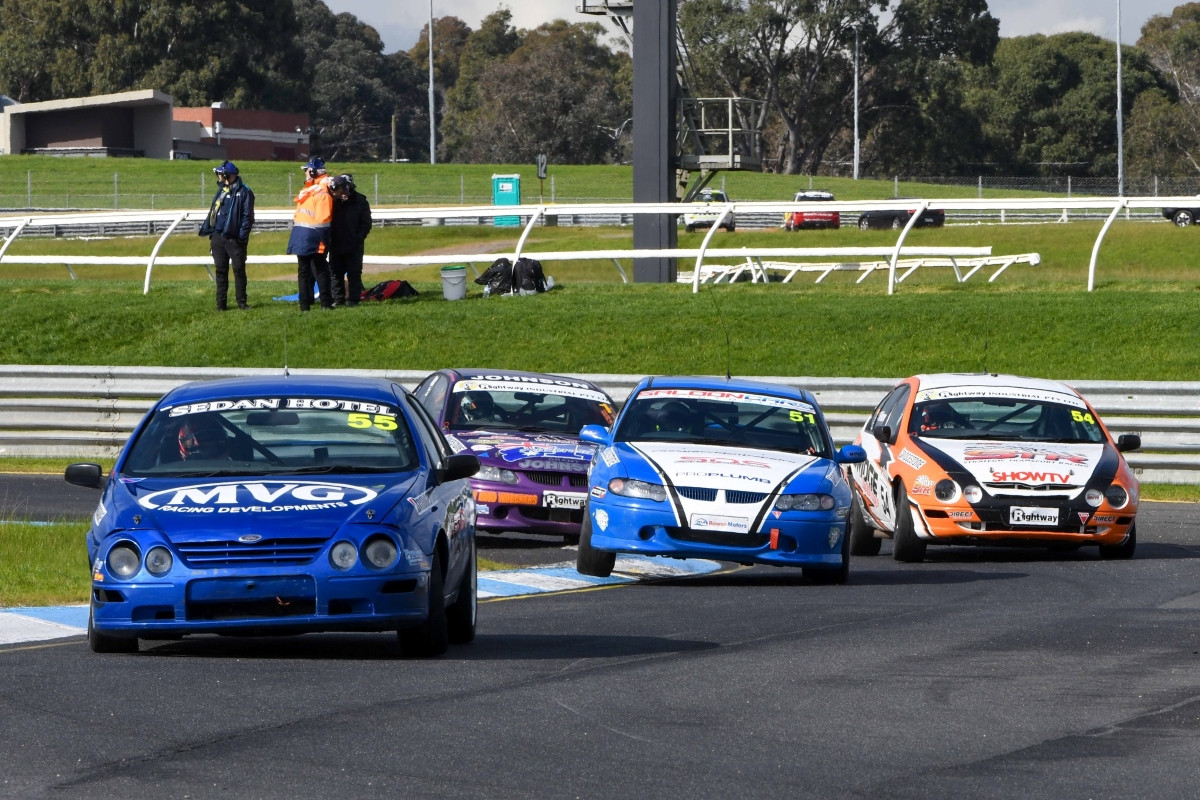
(733, 471)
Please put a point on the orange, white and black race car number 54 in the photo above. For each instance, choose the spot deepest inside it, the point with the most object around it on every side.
(991, 460)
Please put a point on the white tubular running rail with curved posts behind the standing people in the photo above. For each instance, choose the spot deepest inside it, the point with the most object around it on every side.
(533, 215)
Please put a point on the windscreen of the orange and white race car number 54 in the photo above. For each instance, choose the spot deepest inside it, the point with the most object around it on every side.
(1028, 416)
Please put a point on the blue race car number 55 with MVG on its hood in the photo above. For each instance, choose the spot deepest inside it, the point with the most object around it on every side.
(284, 506)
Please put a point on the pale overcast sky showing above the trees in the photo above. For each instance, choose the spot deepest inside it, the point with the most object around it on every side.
(400, 22)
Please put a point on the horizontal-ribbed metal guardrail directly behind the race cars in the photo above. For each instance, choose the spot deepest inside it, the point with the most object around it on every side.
(89, 412)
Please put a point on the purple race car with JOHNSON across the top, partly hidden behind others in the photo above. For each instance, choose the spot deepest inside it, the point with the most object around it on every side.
(524, 428)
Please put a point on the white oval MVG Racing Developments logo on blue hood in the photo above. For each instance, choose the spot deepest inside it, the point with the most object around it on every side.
(257, 497)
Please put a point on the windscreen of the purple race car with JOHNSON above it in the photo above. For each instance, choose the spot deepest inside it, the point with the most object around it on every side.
(533, 408)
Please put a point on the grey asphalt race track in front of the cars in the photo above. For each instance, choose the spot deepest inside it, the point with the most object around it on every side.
(982, 673)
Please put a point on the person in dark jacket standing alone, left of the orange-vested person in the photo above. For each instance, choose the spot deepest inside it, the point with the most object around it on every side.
(229, 226)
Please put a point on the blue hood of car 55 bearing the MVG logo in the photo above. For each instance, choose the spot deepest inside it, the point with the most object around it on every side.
(279, 507)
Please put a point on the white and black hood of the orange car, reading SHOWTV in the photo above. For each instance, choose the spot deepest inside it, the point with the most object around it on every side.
(1041, 465)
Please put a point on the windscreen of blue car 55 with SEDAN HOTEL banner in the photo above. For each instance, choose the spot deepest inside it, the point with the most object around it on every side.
(271, 436)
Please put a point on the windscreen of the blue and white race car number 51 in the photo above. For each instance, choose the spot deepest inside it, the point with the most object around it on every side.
(724, 418)
